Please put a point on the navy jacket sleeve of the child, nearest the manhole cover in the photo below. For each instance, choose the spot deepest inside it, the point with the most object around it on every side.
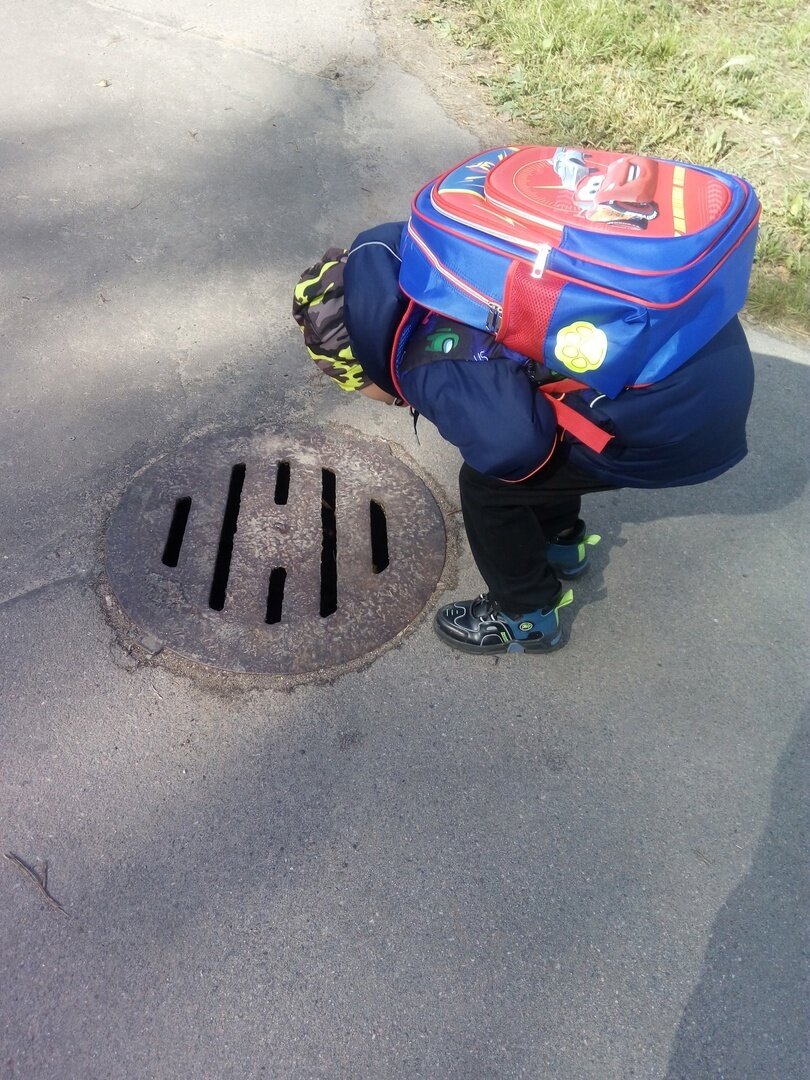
(490, 411)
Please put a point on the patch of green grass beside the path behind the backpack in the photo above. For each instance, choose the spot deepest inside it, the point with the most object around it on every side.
(720, 84)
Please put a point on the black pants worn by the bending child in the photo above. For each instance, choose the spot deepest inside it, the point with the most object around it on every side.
(510, 525)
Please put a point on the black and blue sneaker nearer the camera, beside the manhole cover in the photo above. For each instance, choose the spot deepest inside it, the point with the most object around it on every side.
(480, 626)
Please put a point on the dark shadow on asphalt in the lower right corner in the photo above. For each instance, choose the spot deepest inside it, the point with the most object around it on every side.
(748, 1016)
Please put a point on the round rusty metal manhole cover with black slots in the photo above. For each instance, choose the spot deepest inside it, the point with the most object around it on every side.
(276, 553)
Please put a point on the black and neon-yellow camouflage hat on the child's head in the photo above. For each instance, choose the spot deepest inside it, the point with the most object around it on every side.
(318, 308)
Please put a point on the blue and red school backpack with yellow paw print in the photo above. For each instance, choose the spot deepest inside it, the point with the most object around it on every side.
(611, 271)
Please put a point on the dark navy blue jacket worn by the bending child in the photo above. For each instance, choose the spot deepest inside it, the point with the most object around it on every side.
(686, 429)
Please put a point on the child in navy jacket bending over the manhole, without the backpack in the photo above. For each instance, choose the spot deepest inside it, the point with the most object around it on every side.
(522, 478)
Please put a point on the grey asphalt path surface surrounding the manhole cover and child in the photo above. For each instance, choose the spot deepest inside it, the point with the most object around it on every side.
(588, 866)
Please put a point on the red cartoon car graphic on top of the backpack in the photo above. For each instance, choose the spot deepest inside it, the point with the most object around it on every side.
(622, 193)
